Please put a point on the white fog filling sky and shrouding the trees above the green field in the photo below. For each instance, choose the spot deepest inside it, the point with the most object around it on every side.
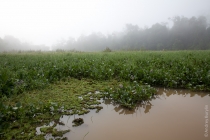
(94, 25)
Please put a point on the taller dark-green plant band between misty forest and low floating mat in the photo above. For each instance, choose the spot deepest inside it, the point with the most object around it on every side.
(185, 69)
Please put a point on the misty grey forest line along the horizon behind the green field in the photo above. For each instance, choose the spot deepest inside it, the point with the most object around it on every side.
(184, 34)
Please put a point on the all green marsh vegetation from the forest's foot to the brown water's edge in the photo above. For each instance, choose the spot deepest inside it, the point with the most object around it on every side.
(33, 86)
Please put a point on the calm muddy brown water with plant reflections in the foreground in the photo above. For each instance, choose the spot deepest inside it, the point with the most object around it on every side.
(175, 115)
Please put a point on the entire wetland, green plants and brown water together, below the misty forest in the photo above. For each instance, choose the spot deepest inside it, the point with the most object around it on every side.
(39, 88)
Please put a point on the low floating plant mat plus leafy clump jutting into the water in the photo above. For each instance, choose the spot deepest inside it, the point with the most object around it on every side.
(25, 112)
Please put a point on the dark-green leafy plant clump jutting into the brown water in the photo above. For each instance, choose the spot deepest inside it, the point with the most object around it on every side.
(128, 95)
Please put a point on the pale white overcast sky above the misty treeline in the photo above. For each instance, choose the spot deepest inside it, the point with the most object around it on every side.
(46, 21)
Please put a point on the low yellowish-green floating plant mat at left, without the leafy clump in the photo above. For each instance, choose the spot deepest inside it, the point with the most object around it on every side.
(44, 106)
